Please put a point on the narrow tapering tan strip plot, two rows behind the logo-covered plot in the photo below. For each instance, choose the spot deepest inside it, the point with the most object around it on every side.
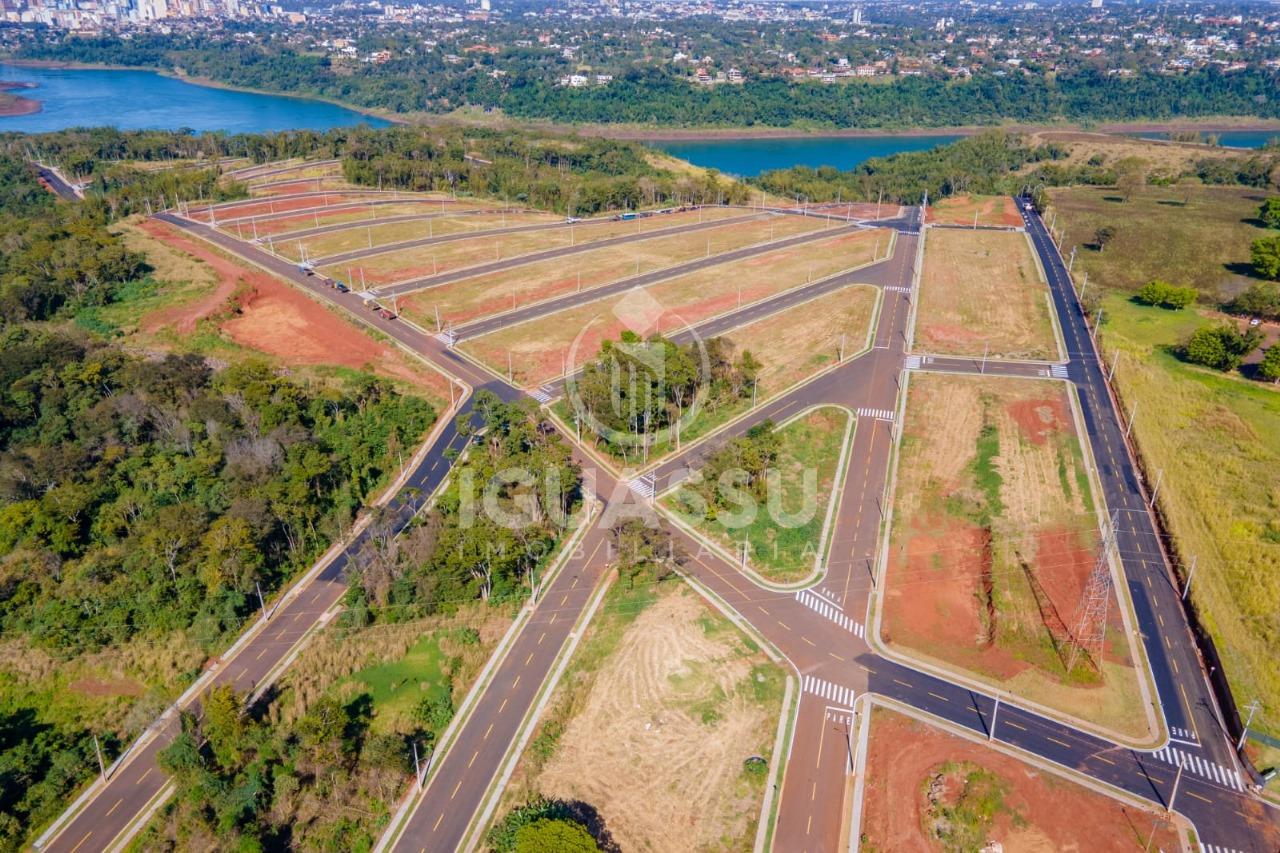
(432, 261)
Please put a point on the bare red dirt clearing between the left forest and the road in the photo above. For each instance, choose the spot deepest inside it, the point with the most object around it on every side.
(282, 322)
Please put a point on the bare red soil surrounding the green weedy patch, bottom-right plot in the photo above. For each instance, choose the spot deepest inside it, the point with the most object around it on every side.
(904, 755)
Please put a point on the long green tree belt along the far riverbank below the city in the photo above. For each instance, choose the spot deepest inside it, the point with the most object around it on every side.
(656, 97)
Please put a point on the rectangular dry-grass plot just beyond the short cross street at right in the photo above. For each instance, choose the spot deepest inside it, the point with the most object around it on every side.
(982, 293)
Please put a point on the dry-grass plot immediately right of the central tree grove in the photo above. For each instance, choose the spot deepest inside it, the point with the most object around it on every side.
(801, 341)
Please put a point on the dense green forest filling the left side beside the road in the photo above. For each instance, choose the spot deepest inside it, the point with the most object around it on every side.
(143, 496)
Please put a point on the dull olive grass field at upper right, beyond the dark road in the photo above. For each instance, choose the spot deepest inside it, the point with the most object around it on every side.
(1204, 243)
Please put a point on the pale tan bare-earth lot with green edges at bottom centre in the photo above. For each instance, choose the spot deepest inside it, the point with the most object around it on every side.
(653, 723)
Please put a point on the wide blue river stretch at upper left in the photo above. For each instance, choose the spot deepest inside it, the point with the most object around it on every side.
(136, 101)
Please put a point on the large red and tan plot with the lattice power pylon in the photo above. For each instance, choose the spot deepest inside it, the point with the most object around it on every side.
(994, 537)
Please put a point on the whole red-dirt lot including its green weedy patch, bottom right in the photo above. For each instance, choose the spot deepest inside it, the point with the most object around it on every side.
(927, 790)
